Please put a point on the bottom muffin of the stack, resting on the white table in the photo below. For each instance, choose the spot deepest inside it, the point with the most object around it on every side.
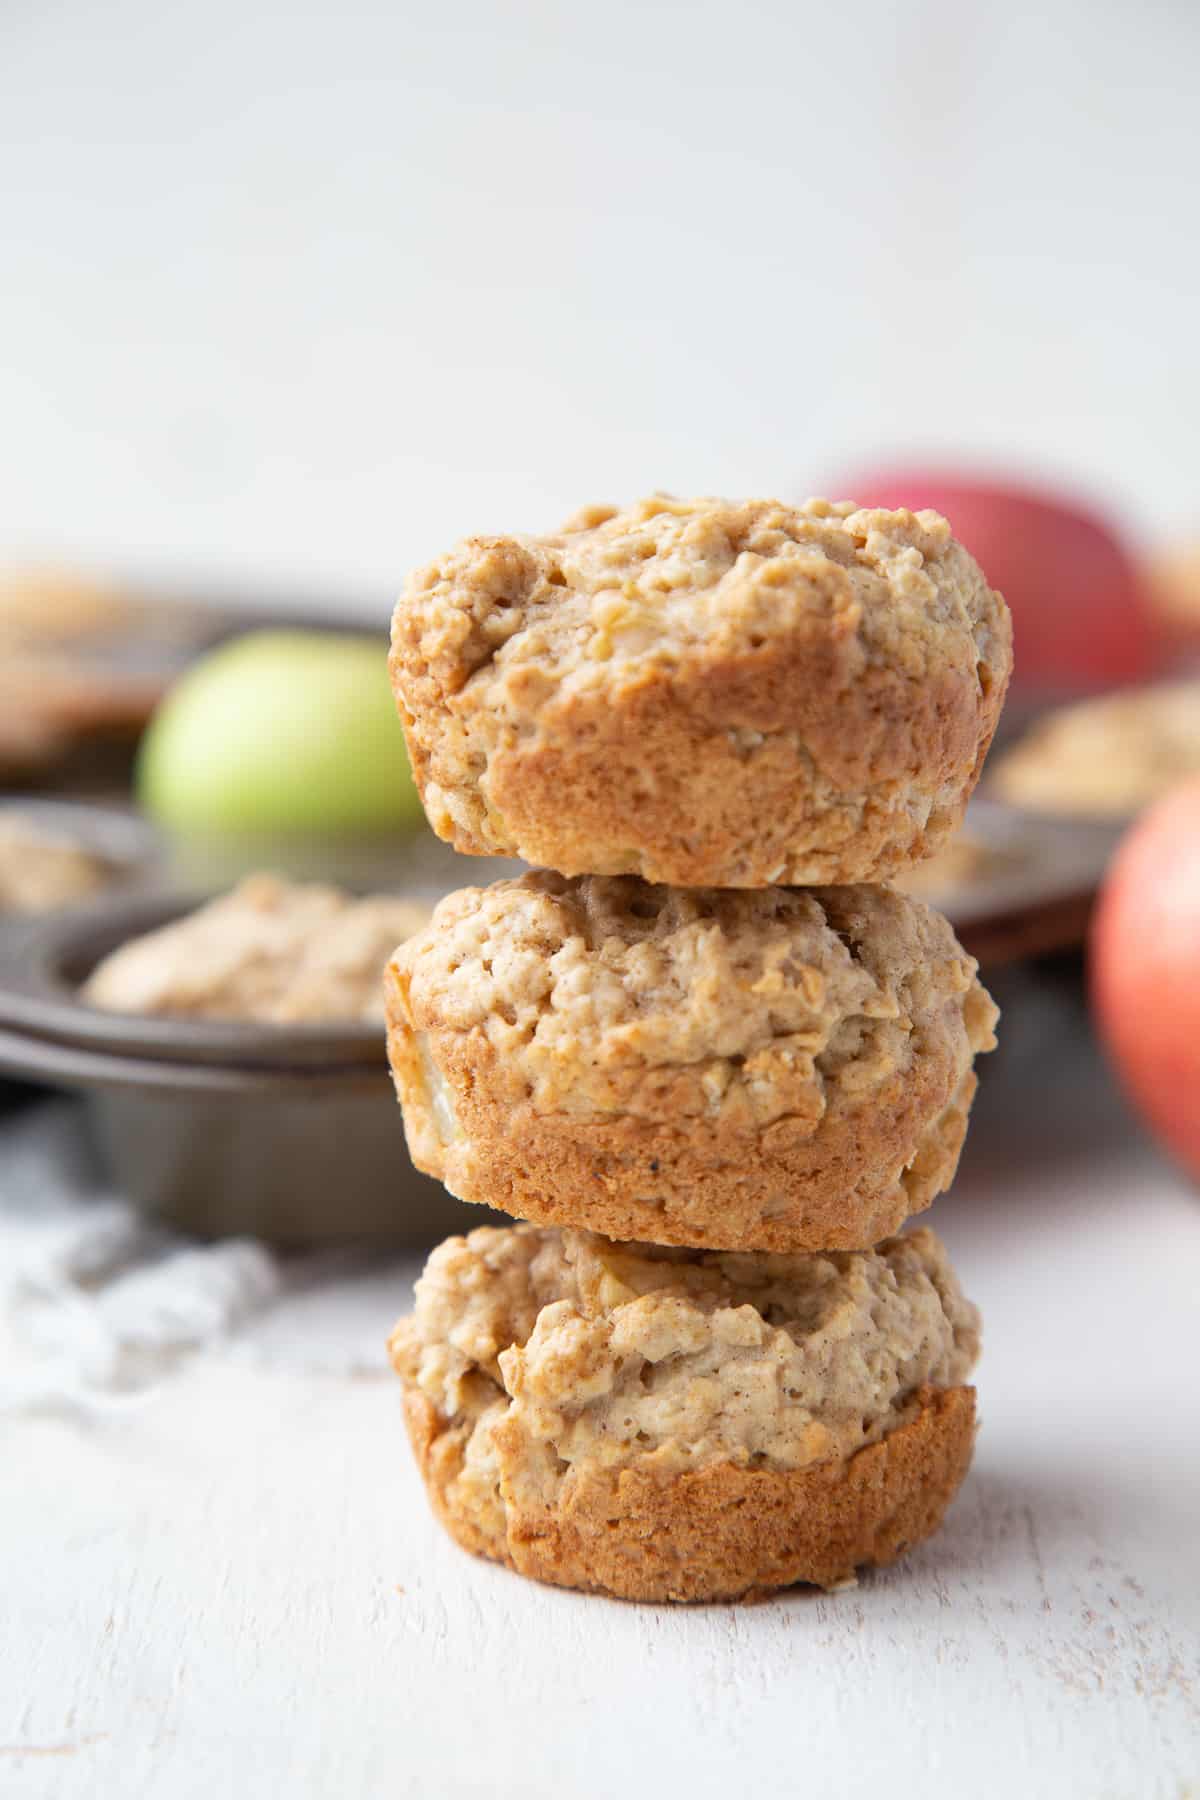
(670, 1425)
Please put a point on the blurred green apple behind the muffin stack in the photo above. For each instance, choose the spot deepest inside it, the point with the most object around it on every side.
(282, 732)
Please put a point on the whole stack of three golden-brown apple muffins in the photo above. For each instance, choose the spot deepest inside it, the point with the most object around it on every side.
(703, 1048)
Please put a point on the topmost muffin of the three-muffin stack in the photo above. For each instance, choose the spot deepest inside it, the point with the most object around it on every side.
(726, 694)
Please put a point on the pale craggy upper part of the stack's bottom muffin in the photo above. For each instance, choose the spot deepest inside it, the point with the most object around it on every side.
(607, 1353)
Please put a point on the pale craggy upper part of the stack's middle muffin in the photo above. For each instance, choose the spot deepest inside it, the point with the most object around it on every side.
(753, 1003)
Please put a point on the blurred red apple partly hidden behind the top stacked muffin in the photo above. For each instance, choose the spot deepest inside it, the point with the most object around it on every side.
(1079, 611)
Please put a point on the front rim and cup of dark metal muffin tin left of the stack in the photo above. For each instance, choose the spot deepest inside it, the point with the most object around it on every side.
(289, 1133)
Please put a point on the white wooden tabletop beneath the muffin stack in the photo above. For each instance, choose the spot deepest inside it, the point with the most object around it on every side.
(233, 1585)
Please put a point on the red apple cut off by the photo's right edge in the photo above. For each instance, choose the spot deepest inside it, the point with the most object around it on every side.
(1147, 969)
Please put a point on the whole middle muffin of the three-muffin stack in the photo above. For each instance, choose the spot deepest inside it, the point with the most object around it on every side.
(749, 1070)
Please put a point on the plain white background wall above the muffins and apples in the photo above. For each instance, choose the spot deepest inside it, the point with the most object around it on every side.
(300, 294)
